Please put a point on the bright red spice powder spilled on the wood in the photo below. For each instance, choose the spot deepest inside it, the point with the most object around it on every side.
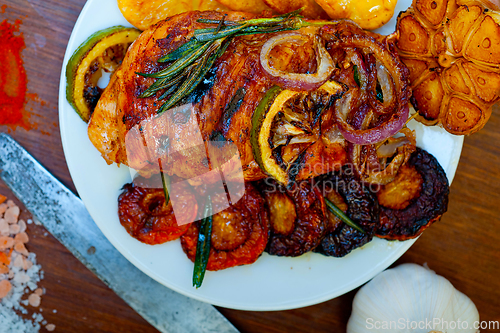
(12, 76)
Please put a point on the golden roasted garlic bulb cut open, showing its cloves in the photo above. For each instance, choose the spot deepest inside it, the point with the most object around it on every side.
(452, 49)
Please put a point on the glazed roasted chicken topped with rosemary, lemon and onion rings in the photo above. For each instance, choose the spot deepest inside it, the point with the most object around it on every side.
(125, 127)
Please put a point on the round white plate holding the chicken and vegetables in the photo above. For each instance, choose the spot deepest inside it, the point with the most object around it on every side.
(272, 283)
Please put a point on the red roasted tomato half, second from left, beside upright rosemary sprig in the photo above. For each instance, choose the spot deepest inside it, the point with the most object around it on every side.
(239, 233)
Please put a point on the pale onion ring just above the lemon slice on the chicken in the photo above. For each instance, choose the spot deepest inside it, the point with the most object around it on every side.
(297, 81)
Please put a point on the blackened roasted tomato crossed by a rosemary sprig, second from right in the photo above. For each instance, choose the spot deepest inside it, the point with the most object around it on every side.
(362, 208)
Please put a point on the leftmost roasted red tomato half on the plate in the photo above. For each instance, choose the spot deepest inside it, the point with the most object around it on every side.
(143, 213)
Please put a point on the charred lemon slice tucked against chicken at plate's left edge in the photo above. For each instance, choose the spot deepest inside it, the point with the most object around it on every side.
(104, 50)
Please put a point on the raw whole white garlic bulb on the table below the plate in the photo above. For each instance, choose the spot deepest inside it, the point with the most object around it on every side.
(411, 298)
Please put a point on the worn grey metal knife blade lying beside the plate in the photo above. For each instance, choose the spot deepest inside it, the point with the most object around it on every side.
(64, 215)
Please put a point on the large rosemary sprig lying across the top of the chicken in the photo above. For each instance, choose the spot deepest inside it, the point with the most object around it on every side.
(192, 61)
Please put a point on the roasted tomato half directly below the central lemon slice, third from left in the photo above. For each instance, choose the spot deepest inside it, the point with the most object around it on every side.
(297, 218)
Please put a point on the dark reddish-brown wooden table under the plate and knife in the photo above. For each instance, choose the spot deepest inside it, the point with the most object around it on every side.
(464, 246)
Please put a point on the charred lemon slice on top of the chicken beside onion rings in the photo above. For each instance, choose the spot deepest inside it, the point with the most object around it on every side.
(285, 124)
